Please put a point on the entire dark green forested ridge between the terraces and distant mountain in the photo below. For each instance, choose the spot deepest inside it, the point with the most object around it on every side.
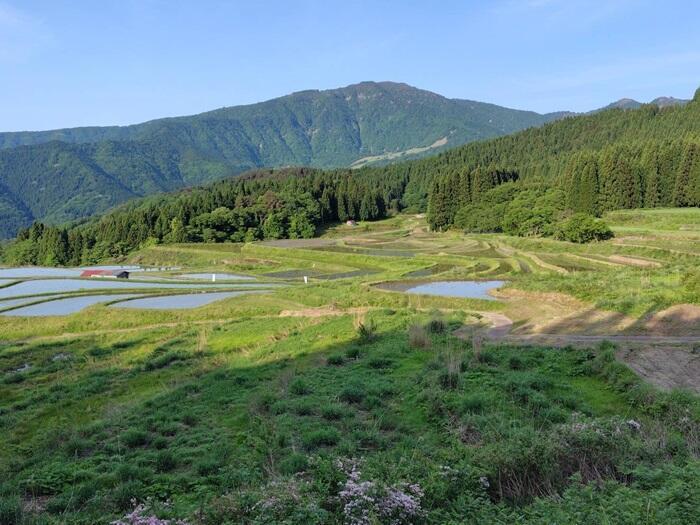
(523, 184)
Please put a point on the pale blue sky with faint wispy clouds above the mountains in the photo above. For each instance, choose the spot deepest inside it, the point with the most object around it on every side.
(67, 63)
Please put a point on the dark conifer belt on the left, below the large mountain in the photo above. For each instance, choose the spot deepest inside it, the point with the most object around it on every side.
(290, 203)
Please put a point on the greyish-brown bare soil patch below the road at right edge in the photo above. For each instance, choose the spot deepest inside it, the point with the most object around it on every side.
(664, 367)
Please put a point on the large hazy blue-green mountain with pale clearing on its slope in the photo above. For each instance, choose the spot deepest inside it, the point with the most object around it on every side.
(66, 174)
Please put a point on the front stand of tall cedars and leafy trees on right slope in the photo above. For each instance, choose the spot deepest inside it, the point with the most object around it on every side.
(621, 176)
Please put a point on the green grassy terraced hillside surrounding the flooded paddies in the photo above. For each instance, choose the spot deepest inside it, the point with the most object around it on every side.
(299, 405)
